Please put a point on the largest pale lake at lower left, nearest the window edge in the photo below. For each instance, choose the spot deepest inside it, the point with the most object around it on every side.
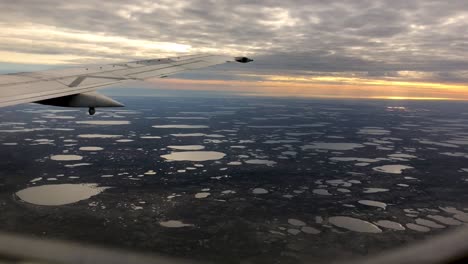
(59, 194)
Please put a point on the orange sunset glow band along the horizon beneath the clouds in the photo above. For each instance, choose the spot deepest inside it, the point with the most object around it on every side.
(367, 89)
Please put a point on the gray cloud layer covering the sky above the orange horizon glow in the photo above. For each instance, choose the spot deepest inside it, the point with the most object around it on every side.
(378, 38)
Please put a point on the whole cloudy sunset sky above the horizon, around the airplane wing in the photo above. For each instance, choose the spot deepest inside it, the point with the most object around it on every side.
(396, 49)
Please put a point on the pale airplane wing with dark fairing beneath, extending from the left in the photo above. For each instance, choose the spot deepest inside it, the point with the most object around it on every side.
(74, 87)
